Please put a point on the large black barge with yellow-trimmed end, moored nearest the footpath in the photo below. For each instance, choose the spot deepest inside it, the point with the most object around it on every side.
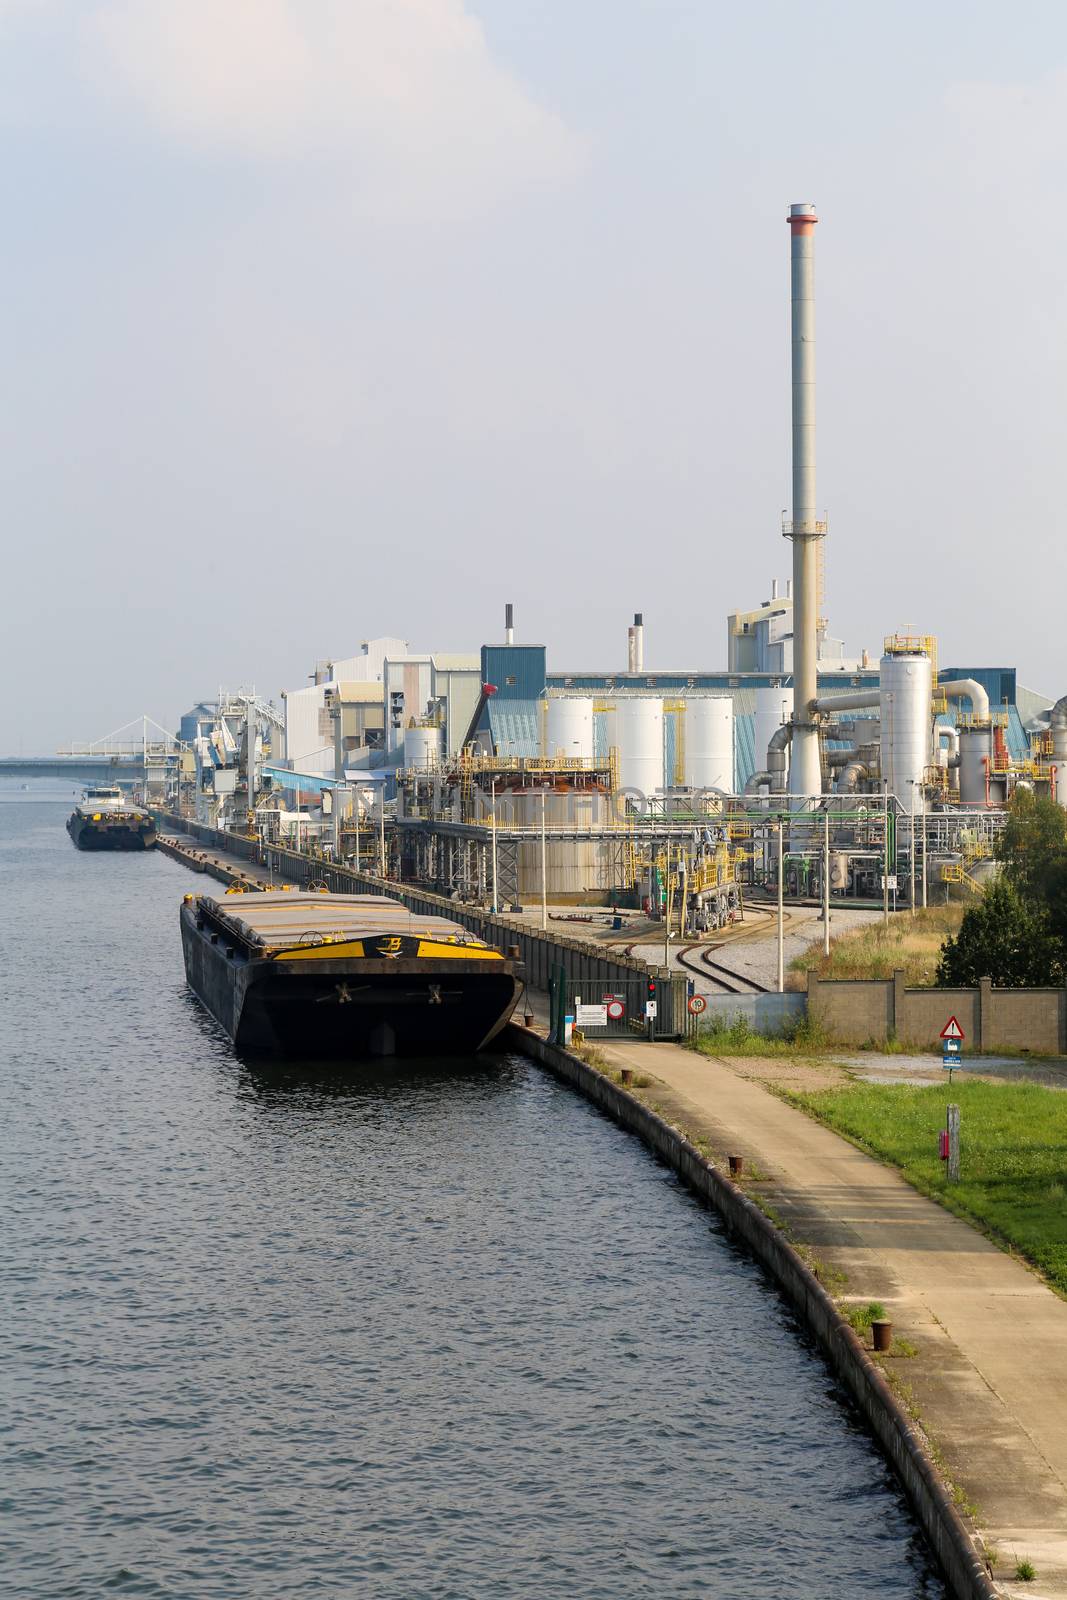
(353, 977)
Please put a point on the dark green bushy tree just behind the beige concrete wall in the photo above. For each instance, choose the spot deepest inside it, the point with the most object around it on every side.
(1005, 938)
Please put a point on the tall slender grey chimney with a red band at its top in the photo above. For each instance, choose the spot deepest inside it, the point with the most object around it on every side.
(805, 529)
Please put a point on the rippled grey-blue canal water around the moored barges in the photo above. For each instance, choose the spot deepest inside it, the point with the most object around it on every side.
(441, 1334)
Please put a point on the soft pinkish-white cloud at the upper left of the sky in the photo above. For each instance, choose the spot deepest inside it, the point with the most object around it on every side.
(404, 90)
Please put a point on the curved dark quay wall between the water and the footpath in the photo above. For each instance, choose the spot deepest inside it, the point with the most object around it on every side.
(847, 1356)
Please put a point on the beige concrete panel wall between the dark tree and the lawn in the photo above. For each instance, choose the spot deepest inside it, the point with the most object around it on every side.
(855, 1012)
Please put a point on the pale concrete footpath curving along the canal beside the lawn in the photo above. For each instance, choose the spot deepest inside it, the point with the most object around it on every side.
(989, 1380)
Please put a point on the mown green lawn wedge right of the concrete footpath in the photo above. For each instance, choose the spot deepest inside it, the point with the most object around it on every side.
(1013, 1154)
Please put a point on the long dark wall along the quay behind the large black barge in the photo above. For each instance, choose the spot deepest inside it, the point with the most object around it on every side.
(586, 969)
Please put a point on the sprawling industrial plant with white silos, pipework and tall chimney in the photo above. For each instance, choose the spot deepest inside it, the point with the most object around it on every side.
(498, 780)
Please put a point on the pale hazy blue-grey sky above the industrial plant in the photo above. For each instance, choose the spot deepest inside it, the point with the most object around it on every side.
(329, 319)
